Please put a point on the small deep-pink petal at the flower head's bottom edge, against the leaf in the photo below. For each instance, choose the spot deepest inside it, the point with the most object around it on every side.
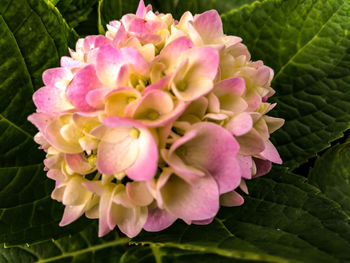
(158, 219)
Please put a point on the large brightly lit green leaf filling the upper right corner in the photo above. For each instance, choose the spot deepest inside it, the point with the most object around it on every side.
(307, 43)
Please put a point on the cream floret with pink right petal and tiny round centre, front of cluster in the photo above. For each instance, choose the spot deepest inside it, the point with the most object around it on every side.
(118, 151)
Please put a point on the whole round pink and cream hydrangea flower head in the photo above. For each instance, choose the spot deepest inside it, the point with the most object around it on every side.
(157, 120)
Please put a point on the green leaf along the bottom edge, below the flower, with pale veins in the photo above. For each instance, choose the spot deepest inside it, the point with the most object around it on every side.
(86, 247)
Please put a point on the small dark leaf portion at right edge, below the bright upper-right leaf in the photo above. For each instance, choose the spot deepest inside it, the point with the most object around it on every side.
(331, 174)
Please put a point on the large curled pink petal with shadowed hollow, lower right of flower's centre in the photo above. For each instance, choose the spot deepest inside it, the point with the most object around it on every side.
(217, 155)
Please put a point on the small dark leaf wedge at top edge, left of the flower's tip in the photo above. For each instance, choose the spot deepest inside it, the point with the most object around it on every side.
(75, 11)
